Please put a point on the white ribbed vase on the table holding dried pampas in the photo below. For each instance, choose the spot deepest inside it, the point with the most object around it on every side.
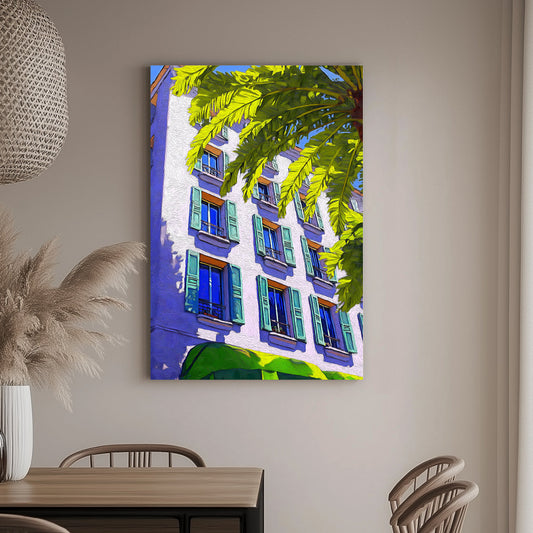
(16, 425)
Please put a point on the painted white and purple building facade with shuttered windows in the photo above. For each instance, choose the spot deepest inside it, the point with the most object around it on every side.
(228, 271)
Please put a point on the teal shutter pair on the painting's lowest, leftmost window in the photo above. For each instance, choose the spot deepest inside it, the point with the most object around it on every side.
(192, 286)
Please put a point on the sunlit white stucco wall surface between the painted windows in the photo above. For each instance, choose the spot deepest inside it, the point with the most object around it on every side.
(175, 214)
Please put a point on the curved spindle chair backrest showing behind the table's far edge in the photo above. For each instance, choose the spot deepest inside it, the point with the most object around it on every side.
(137, 455)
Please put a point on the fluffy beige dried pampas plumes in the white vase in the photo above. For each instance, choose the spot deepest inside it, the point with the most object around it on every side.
(44, 329)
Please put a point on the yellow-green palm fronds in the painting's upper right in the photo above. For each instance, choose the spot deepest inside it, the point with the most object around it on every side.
(281, 107)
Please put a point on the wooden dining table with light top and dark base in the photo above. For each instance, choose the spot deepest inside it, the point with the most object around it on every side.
(149, 499)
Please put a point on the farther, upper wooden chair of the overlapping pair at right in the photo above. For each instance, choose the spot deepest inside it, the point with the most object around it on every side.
(418, 481)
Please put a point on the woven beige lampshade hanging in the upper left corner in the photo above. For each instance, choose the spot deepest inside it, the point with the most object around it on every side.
(33, 91)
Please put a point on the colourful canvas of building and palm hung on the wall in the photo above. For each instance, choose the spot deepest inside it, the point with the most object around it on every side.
(256, 222)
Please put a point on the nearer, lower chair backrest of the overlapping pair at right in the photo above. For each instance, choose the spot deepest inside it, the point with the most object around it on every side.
(441, 510)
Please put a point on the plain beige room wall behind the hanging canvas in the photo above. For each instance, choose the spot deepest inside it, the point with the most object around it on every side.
(433, 173)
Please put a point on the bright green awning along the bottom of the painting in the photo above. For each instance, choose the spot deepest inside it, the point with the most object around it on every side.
(215, 360)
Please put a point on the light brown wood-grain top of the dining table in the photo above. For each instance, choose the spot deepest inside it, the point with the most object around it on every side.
(231, 487)
